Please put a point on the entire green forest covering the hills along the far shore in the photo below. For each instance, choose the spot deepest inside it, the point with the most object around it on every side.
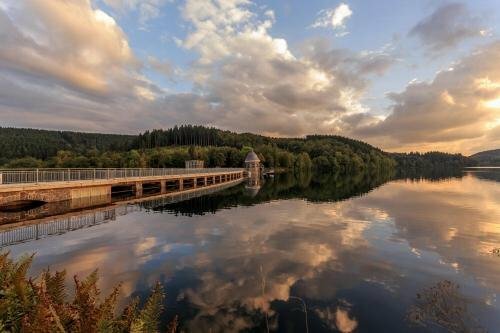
(29, 148)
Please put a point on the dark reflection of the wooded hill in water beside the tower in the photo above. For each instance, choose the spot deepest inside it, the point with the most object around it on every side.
(324, 188)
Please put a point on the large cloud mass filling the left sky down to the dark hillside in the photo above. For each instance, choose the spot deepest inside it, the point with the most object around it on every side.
(74, 81)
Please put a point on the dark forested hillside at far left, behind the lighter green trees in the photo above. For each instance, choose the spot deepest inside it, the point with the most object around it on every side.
(43, 144)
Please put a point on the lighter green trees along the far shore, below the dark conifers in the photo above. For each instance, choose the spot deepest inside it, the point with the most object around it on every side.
(318, 156)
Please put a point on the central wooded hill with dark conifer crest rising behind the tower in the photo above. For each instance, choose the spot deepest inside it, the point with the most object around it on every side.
(327, 153)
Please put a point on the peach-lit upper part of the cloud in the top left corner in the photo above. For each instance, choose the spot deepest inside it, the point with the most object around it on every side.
(57, 46)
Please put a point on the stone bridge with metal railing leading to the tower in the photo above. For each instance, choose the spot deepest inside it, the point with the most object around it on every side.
(52, 185)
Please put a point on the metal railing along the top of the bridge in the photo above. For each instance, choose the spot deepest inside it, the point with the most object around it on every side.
(23, 176)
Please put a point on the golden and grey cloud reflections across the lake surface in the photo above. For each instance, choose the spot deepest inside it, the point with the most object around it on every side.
(245, 259)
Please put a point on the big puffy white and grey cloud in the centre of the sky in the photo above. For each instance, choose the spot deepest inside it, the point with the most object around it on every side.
(252, 81)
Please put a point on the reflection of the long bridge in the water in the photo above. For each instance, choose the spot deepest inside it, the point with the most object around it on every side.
(11, 234)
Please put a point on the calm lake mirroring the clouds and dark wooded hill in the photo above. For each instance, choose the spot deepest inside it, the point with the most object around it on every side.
(356, 253)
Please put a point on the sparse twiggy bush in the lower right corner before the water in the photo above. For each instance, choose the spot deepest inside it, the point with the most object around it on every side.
(443, 305)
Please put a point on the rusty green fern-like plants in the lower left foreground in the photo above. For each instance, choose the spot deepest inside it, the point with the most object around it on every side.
(42, 304)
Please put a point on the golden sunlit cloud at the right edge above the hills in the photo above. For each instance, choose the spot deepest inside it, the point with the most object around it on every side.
(458, 106)
